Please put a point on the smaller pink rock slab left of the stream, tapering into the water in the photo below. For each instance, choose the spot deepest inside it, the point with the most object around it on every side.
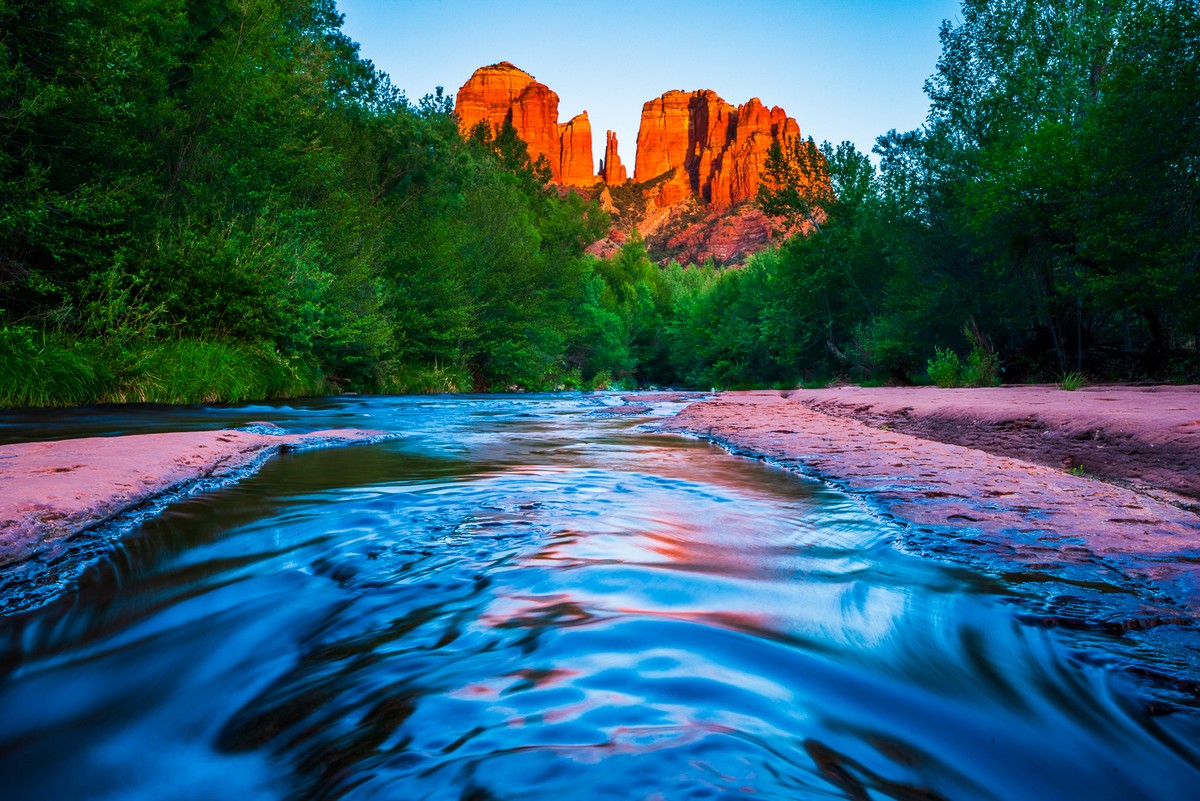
(52, 491)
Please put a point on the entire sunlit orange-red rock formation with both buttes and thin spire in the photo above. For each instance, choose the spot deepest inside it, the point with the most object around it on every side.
(699, 161)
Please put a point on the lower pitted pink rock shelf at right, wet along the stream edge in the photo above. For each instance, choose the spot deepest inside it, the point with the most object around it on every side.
(1073, 534)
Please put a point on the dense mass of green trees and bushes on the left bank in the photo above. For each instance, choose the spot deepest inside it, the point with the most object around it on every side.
(220, 200)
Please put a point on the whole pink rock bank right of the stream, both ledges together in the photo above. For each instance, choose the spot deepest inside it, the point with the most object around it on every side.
(1040, 523)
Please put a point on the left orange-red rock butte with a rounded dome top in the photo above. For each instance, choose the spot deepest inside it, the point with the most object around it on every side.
(502, 93)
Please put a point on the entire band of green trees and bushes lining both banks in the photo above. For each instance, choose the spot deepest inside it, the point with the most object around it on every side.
(221, 200)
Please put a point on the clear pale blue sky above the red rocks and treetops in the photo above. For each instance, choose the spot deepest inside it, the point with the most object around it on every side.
(845, 70)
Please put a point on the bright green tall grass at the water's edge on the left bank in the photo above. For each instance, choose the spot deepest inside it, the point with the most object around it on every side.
(44, 370)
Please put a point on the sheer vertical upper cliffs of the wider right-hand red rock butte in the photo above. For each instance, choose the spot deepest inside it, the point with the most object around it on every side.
(721, 148)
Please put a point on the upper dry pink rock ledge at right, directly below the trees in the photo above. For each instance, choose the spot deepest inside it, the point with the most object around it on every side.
(1148, 437)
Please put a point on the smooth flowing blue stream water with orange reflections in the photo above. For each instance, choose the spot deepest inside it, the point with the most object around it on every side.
(524, 600)
